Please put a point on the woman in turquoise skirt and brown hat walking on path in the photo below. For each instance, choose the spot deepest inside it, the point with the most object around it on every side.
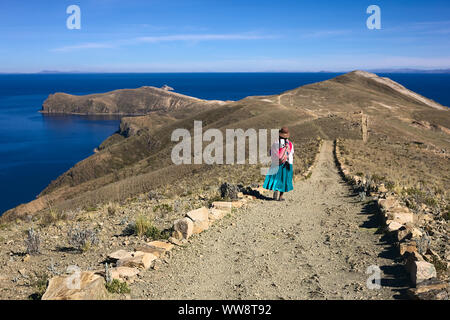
(279, 177)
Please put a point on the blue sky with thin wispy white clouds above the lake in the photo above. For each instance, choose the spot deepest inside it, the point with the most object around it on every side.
(226, 35)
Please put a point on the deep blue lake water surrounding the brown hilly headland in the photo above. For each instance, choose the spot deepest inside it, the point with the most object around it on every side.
(36, 148)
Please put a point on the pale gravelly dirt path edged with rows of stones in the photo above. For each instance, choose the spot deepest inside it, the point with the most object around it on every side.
(316, 245)
